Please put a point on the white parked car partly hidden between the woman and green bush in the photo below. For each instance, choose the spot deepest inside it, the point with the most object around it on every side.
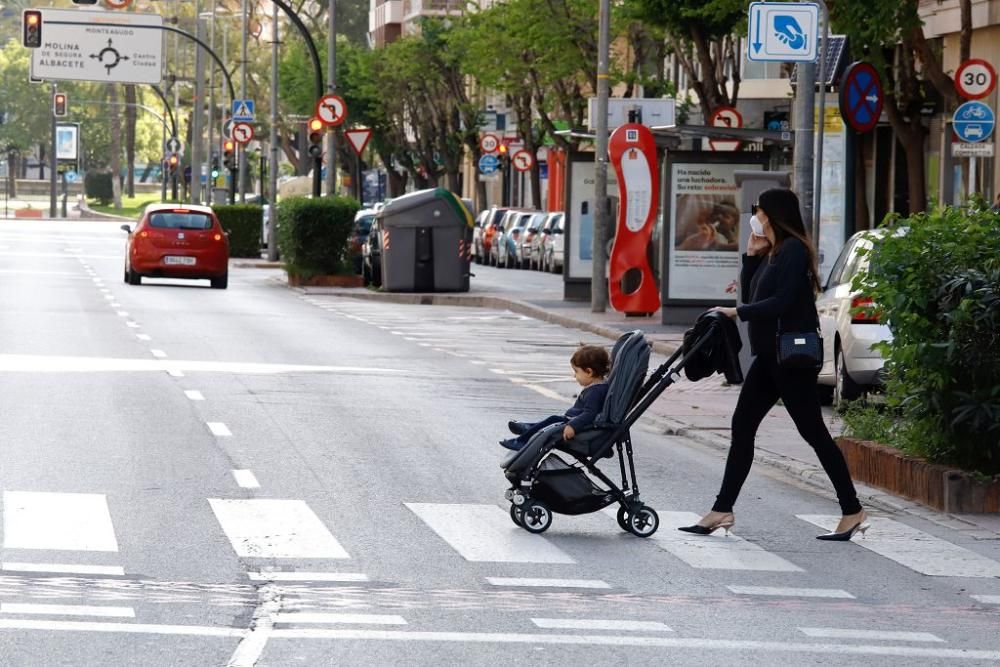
(850, 366)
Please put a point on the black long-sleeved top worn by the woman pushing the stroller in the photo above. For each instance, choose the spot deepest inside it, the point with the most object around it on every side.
(777, 287)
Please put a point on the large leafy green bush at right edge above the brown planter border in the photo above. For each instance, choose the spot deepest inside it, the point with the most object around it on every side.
(937, 285)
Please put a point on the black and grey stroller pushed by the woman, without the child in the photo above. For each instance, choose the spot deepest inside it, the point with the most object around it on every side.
(544, 481)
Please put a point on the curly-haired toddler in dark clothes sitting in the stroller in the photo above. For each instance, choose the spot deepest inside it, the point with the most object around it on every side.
(590, 365)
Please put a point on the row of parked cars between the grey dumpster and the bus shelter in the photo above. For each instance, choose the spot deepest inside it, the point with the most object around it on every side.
(520, 238)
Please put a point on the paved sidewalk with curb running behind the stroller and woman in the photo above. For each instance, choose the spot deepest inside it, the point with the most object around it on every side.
(698, 411)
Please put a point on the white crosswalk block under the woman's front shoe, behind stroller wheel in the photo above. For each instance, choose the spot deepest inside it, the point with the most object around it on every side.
(713, 552)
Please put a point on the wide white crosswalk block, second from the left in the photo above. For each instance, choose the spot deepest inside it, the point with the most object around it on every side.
(269, 528)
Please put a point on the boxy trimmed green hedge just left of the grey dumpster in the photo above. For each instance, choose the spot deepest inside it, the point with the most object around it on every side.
(314, 234)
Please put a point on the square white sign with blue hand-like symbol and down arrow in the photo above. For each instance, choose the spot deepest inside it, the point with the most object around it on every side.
(783, 31)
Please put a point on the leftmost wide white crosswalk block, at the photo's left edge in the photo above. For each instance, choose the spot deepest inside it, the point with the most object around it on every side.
(57, 521)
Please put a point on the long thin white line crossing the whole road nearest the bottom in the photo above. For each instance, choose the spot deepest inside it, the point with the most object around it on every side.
(358, 634)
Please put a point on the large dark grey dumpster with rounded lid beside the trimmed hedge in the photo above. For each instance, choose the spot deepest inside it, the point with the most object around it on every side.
(426, 243)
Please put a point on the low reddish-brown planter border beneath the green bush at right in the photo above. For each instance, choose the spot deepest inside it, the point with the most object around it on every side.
(941, 487)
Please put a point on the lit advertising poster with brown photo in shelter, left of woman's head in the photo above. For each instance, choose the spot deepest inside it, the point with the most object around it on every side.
(703, 260)
